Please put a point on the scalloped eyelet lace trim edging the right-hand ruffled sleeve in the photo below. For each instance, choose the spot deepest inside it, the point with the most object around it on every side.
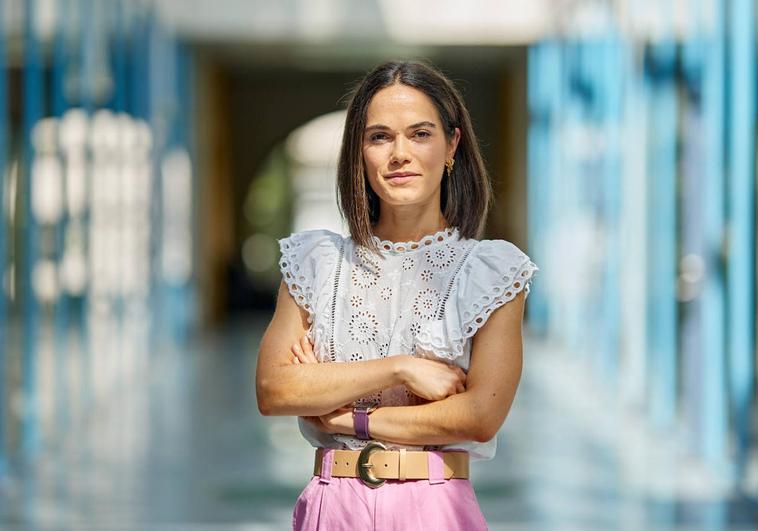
(451, 345)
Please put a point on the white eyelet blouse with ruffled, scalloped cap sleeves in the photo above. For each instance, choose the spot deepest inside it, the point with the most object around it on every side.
(425, 298)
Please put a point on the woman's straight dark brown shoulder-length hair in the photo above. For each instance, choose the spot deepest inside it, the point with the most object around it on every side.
(465, 197)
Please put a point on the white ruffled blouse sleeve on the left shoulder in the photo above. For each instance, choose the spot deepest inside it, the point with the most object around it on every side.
(307, 258)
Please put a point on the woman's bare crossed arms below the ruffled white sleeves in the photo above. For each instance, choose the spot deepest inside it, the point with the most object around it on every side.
(320, 392)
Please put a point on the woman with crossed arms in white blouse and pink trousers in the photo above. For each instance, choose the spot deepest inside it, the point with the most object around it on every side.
(411, 305)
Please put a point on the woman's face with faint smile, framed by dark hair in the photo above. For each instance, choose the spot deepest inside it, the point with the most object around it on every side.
(404, 134)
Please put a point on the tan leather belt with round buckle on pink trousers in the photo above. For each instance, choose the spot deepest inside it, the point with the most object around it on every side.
(375, 463)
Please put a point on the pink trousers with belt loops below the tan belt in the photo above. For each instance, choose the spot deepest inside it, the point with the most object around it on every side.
(347, 504)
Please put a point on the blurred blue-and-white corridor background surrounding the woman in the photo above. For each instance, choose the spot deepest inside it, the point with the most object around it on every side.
(151, 153)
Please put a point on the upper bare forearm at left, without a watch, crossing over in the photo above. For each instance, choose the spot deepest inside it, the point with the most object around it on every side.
(319, 388)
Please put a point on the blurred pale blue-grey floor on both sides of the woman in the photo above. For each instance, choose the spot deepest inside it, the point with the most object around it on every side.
(187, 450)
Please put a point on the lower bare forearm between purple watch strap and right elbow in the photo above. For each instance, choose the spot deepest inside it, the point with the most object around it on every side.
(453, 419)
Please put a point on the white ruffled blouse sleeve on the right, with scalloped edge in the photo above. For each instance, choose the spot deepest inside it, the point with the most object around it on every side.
(493, 274)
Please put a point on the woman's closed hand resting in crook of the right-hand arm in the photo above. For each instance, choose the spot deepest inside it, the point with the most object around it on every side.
(432, 379)
